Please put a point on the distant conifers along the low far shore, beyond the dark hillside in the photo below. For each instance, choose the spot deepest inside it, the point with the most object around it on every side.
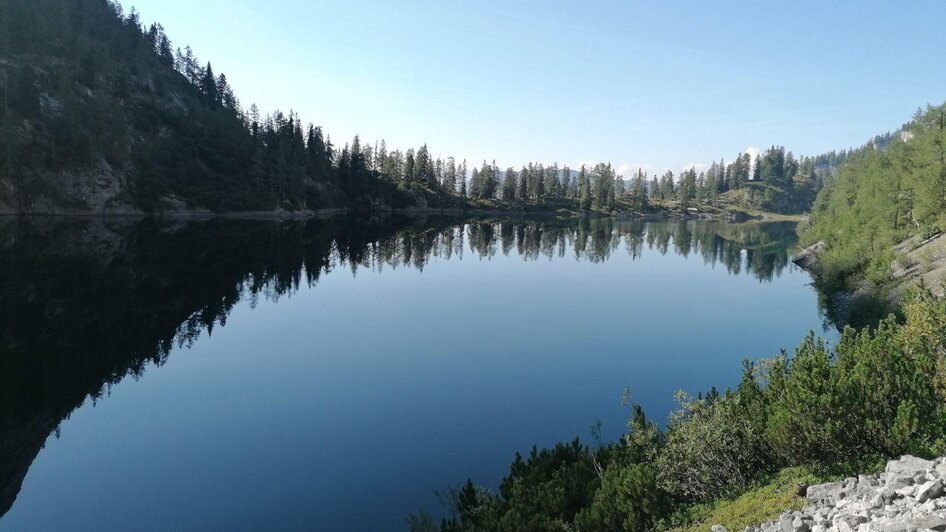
(775, 180)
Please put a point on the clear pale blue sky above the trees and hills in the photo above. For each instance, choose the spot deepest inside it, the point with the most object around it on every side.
(654, 84)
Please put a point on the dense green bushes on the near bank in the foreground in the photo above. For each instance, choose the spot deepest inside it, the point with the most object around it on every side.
(877, 394)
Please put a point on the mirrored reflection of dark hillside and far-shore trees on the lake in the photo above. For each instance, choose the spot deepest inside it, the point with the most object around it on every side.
(83, 304)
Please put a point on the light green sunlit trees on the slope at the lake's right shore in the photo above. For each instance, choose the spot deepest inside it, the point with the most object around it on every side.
(886, 192)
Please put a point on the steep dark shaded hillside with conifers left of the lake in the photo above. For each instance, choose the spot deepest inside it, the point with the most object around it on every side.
(99, 115)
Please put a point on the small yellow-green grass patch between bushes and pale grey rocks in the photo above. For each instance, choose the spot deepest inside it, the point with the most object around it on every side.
(764, 502)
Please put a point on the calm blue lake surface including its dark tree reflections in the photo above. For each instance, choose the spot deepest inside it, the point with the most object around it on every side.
(246, 375)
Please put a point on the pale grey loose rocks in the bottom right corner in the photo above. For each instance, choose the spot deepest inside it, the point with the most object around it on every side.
(908, 496)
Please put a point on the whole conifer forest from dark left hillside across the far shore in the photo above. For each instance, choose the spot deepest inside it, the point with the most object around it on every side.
(92, 93)
